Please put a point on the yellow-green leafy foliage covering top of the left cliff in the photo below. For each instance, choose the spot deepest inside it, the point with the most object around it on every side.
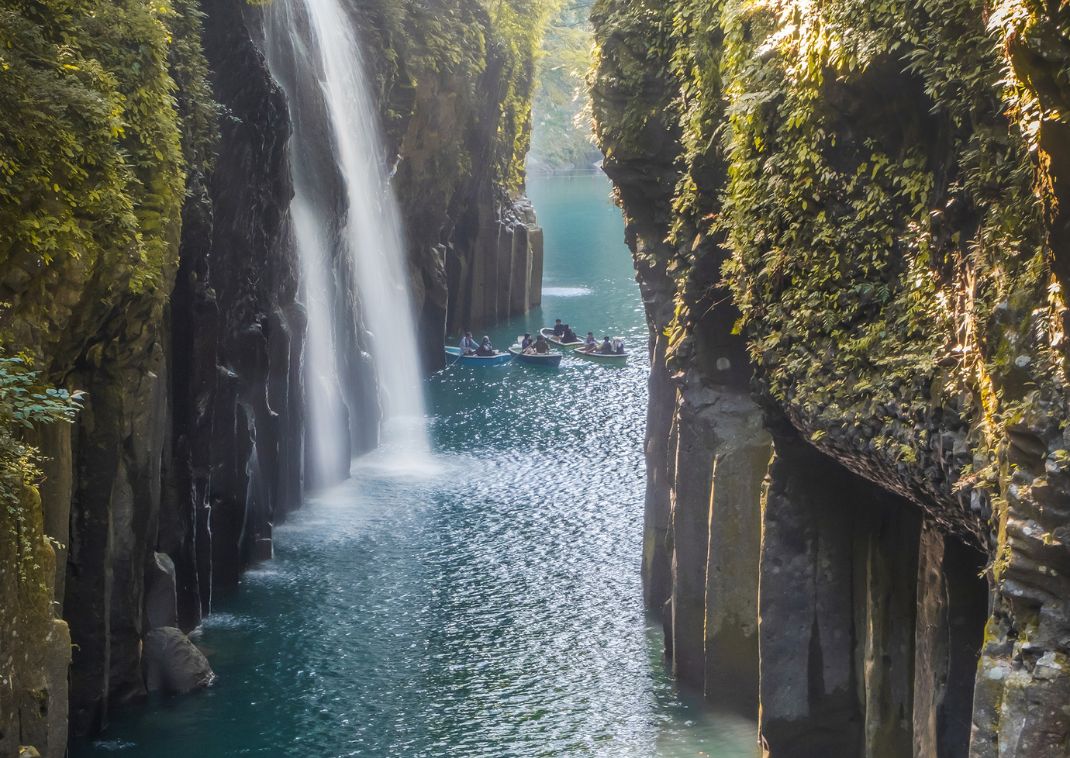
(91, 172)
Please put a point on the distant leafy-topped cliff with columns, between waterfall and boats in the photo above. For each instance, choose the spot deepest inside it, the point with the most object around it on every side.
(462, 133)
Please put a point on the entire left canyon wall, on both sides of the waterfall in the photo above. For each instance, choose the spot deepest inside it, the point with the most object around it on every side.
(147, 259)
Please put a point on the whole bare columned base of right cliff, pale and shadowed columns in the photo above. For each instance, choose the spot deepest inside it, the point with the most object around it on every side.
(799, 594)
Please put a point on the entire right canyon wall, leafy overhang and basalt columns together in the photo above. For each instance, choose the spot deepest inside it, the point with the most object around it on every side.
(847, 229)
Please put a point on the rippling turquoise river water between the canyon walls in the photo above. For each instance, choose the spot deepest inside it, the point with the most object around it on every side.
(482, 602)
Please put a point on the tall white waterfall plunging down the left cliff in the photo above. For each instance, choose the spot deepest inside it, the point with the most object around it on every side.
(347, 229)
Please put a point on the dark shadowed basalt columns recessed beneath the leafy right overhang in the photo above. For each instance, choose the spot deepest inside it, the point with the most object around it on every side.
(870, 618)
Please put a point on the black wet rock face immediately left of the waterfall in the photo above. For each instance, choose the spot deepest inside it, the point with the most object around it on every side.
(254, 395)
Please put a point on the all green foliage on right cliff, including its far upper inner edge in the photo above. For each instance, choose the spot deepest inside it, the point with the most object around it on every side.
(874, 177)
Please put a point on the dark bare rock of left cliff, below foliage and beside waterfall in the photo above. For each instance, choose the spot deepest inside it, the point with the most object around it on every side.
(191, 443)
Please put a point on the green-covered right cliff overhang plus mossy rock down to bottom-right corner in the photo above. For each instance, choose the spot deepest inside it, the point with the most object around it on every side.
(879, 189)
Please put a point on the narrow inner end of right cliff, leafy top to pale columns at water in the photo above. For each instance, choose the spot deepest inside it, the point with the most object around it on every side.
(707, 450)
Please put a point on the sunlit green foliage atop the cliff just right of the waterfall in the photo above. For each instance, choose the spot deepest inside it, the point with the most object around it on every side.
(476, 56)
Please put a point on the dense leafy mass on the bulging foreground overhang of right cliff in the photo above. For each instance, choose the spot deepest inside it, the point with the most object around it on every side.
(875, 277)
